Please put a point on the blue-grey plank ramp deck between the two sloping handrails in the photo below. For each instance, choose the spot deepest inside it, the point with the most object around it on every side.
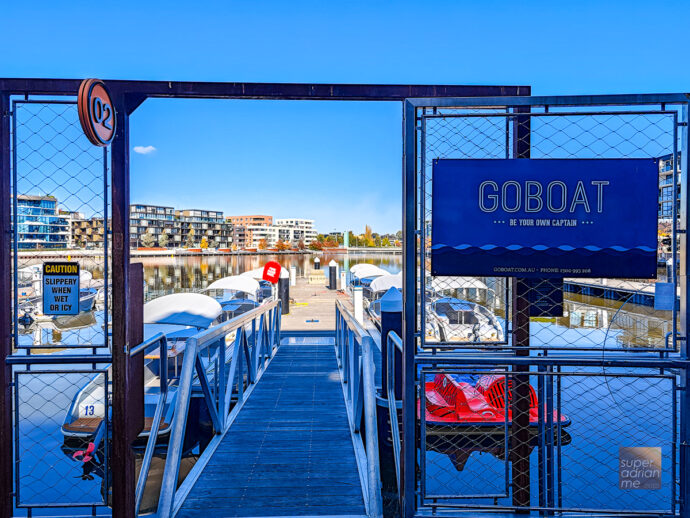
(290, 450)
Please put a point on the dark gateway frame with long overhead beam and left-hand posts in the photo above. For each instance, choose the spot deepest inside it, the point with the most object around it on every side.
(127, 96)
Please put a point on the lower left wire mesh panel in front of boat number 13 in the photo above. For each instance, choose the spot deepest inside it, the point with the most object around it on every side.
(58, 414)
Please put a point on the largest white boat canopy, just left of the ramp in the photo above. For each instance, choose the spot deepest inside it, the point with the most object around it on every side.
(186, 309)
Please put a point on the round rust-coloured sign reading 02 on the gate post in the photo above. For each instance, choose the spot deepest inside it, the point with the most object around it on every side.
(96, 112)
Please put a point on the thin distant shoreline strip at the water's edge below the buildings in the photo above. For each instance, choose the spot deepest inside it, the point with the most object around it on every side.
(156, 252)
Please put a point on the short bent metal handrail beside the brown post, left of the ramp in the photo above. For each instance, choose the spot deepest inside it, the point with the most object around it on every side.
(161, 339)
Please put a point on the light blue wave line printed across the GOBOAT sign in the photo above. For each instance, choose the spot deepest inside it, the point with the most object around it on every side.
(550, 250)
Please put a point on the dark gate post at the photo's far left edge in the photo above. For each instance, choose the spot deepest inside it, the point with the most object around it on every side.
(5, 316)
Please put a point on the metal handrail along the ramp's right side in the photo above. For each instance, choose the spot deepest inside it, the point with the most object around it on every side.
(354, 351)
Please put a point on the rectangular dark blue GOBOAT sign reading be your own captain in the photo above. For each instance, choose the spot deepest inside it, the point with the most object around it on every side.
(544, 218)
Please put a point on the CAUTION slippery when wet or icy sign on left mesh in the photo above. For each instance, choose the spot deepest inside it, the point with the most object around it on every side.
(60, 288)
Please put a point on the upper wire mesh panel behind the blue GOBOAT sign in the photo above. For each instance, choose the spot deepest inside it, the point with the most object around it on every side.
(597, 313)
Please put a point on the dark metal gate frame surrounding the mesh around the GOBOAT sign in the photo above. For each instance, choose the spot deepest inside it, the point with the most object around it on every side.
(413, 337)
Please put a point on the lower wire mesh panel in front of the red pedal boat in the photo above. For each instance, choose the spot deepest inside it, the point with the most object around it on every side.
(574, 461)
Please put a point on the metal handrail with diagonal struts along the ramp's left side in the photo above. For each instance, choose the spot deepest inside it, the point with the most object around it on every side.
(265, 338)
